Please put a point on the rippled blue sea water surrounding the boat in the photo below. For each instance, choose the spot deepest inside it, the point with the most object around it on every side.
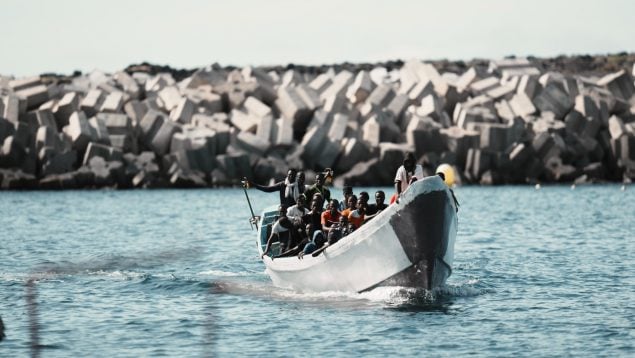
(175, 273)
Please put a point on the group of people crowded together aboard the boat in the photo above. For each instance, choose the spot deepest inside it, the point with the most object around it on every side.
(309, 220)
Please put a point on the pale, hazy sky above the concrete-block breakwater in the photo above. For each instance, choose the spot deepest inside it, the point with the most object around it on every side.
(41, 36)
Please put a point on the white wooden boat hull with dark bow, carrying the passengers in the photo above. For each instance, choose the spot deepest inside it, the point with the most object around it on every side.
(411, 243)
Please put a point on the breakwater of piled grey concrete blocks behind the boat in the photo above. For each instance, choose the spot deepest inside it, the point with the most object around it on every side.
(510, 121)
